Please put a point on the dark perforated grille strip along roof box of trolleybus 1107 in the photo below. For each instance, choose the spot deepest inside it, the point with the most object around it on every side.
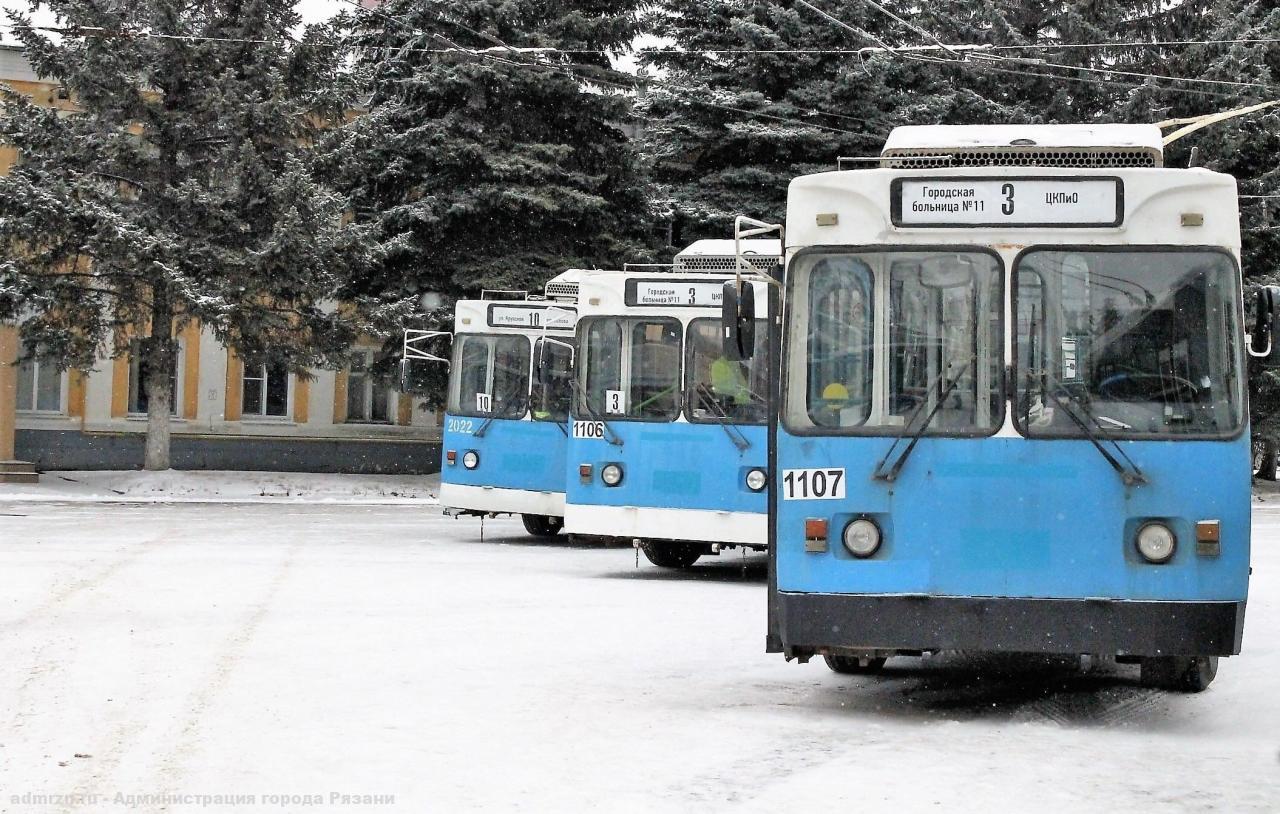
(1023, 157)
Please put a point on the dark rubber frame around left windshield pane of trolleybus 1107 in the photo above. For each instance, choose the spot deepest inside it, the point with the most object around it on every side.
(789, 344)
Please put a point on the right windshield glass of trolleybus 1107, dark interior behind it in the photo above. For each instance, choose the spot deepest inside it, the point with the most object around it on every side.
(1145, 344)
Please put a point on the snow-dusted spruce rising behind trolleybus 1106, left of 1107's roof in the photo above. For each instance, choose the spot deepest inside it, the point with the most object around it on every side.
(728, 125)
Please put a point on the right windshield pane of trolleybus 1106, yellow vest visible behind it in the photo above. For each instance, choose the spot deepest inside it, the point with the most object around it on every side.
(720, 388)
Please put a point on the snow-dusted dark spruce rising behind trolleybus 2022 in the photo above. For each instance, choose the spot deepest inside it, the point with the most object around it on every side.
(483, 162)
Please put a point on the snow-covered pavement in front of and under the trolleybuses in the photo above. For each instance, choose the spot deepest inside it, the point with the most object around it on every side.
(280, 655)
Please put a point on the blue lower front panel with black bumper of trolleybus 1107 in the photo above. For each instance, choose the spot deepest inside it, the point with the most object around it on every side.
(1016, 545)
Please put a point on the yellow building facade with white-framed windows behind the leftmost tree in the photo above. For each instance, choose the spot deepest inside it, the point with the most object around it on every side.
(226, 415)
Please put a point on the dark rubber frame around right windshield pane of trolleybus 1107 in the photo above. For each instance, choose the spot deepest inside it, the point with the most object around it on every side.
(1241, 363)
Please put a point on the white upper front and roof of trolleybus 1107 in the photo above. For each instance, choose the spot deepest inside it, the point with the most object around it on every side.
(1007, 188)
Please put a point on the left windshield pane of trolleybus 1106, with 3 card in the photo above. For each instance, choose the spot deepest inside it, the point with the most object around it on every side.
(632, 368)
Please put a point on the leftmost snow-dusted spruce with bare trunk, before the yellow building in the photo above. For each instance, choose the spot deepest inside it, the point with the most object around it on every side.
(180, 188)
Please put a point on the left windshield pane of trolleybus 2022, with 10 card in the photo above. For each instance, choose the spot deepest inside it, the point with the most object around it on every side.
(492, 377)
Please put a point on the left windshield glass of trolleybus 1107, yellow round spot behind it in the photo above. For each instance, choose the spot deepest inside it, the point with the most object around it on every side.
(938, 318)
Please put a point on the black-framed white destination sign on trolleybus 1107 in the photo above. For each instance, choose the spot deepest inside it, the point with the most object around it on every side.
(1008, 203)
